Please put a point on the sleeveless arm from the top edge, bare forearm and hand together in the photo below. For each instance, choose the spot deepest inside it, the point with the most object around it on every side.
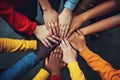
(50, 17)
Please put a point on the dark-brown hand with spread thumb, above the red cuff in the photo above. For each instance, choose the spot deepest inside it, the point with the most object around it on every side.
(54, 64)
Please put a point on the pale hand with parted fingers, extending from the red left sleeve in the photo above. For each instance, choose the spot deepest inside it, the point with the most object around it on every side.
(43, 35)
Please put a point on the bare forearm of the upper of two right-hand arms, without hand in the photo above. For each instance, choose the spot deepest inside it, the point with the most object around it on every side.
(101, 9)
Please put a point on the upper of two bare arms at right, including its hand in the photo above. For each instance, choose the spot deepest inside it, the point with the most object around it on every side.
(101, 9)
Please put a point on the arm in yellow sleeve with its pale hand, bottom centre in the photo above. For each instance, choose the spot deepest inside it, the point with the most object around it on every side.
(70, 57)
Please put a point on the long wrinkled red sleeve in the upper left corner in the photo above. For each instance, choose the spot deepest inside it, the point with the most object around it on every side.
(18, 21)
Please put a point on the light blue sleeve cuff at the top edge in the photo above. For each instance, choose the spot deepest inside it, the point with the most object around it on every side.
(70, 4)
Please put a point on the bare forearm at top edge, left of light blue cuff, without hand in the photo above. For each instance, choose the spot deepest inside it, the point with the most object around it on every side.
(45, 5)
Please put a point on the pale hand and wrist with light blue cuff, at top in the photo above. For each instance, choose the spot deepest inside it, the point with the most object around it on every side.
(65, 17)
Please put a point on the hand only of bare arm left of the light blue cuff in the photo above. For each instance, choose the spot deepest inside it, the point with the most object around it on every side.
(51, 21)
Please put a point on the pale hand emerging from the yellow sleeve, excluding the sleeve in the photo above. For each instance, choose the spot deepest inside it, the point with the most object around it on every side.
(69, 54)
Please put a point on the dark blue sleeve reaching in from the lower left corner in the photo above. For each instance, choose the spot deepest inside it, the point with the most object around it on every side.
(19, 69)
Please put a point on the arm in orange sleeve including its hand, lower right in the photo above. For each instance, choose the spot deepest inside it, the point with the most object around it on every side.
(106, 71)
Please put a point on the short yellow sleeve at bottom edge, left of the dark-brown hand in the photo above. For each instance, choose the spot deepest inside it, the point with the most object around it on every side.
(41, 75)
